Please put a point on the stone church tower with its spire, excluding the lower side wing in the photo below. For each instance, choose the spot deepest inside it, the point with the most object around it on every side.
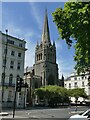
(45, 58)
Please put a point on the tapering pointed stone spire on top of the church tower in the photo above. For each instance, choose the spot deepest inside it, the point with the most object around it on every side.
(45, 33)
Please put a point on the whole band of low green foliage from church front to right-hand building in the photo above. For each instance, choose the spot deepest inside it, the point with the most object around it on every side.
(55, 94)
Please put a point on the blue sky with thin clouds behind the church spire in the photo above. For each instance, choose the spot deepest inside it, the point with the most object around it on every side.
(25, 20)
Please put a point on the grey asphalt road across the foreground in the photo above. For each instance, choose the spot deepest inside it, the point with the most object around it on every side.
(48, 113)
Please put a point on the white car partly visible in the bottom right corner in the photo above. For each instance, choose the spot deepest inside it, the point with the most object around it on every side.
(82, 116)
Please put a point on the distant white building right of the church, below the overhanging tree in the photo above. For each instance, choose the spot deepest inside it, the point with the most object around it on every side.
(78, 81)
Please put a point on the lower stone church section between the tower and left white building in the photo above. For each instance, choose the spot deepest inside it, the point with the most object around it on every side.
(33, 82)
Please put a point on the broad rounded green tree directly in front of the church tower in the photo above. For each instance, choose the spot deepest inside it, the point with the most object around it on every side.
(54, 94)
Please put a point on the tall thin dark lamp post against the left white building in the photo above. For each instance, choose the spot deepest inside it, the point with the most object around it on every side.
(4, 66)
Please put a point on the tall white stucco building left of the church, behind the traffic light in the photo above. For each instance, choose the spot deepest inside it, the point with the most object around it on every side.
(13, 52)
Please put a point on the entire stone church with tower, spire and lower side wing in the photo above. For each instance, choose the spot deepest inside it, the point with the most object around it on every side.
(45, 70)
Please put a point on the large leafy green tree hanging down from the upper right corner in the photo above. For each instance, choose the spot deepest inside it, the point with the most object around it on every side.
(74, 22)
